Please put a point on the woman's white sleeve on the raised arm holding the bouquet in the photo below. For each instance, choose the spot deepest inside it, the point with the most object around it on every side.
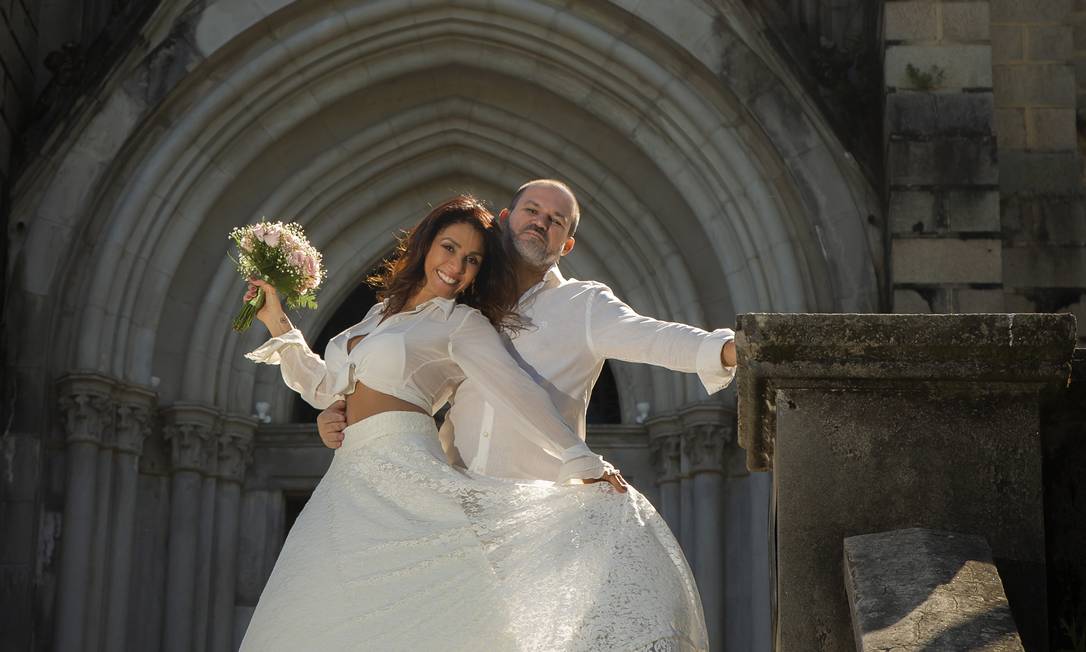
(302, 370)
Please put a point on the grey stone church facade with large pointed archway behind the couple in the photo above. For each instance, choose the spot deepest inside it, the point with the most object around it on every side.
(919, 157)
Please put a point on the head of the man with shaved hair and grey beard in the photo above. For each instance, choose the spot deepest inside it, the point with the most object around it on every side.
(538, 227)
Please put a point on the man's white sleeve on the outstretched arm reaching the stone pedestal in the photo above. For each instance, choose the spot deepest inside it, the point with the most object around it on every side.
(616, 332)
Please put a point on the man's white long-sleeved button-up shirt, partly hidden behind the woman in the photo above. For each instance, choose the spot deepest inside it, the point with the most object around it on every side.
(573, 328)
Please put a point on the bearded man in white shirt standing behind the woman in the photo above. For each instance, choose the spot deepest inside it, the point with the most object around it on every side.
(574, 328)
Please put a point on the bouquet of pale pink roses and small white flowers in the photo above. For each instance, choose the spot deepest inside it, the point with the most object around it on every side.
(281, 255)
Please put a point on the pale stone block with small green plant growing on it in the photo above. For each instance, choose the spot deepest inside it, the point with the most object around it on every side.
(963, 66)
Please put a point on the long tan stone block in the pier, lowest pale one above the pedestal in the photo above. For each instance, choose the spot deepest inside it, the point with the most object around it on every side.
(946, 260)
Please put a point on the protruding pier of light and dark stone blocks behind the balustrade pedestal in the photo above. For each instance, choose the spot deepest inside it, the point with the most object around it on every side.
(942, 173)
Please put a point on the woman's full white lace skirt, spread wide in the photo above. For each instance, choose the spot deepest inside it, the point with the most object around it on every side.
(398, 550)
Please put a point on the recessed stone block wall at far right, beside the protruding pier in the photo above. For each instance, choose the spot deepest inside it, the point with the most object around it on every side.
(1043, 211)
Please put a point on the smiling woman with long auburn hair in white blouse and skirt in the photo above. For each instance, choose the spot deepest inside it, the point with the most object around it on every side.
(399, 550)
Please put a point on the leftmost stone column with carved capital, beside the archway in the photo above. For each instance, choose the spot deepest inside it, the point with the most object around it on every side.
(87, 412)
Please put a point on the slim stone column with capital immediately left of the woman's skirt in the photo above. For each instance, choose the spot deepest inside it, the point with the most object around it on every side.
(235, 455)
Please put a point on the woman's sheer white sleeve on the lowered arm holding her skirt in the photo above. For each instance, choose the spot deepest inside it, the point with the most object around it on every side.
(477, 349)
